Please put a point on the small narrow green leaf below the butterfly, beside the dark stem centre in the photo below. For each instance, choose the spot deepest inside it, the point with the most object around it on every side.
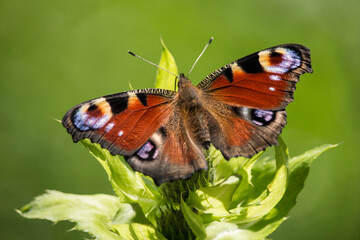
(194, 221)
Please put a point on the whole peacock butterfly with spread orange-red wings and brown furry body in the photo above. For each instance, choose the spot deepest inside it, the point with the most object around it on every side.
(239, 109)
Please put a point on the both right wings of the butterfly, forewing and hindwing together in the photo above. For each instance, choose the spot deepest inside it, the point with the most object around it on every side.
(246, 98)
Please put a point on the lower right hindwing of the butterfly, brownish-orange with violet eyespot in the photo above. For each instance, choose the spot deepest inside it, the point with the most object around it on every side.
(241, 131)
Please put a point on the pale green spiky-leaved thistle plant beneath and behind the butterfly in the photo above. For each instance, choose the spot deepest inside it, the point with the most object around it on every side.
(243, 198)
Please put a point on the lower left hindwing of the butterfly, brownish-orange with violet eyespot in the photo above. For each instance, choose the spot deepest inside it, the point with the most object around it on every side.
(168, 154)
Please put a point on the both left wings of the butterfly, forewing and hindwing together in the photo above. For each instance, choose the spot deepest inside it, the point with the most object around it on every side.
(144, 127)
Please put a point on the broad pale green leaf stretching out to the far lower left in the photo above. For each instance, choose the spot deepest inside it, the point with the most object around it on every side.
(91, 213)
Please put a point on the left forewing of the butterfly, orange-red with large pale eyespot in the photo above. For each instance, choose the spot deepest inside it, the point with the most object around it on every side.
(122, 122)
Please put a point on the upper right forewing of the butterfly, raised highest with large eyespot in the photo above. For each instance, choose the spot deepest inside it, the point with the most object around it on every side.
(263, 80)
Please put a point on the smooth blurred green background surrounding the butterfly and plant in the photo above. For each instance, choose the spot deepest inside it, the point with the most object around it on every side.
(55, 54)
